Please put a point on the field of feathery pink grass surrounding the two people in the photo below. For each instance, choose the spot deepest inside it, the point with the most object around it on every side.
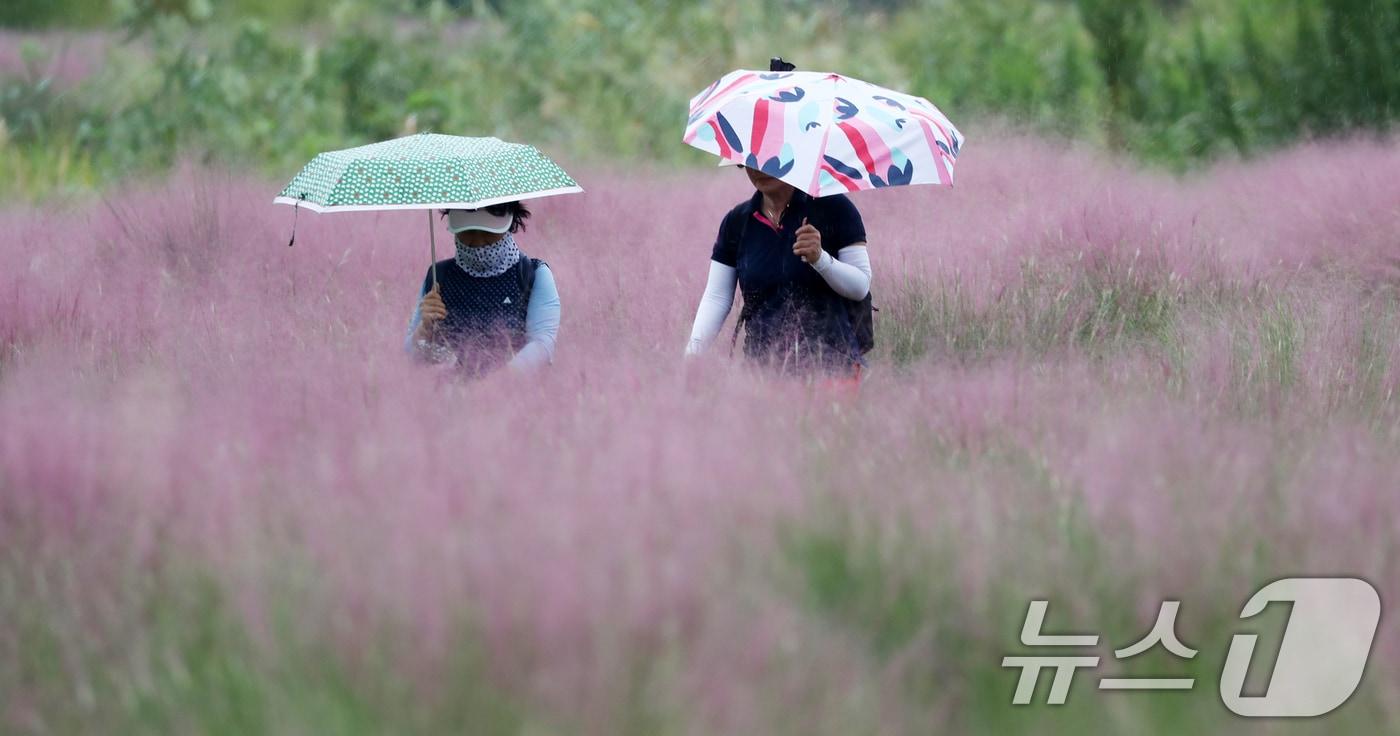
(230, 504)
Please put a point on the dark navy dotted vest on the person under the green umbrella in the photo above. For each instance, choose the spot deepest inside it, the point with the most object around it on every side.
(485, 316)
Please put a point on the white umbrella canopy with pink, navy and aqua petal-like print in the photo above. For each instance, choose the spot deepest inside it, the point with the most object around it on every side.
(824, 134)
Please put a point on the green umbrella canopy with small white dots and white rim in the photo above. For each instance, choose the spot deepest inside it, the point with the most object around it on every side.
(428, 171)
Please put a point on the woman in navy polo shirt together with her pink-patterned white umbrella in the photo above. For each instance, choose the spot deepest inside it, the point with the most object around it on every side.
(797, 248)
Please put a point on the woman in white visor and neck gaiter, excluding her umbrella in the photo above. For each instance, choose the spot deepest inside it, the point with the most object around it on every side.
(491, 306)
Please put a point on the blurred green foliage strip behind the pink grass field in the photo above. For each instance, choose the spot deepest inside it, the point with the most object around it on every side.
(274, 82)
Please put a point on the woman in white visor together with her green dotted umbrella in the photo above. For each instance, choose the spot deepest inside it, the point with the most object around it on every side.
(489, 306)
